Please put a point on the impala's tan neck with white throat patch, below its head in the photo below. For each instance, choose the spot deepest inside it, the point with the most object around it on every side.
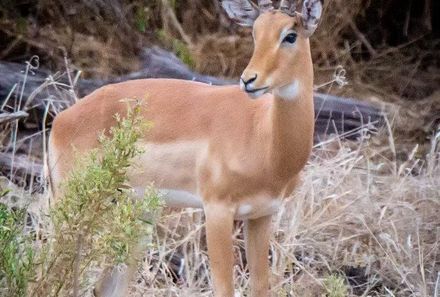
(292, 118)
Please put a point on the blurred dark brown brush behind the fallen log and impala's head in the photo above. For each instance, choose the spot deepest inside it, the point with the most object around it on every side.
(390, 49)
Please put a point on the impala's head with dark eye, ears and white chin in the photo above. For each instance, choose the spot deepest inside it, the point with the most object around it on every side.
(281, 44)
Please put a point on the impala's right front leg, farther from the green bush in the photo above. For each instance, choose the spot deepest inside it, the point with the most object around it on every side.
(257, 235)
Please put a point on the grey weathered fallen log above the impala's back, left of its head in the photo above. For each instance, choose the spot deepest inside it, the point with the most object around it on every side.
(16, 82)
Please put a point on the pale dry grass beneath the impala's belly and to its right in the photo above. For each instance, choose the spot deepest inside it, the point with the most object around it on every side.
(352, 215)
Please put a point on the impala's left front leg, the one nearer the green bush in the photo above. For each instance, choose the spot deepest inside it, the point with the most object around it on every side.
(219, 226)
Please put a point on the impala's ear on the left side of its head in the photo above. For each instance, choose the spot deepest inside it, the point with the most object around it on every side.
(243, 12)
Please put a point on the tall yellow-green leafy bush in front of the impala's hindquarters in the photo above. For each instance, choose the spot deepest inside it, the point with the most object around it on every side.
(98, 221)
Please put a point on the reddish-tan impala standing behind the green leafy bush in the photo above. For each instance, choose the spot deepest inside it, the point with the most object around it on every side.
(214, 147)
